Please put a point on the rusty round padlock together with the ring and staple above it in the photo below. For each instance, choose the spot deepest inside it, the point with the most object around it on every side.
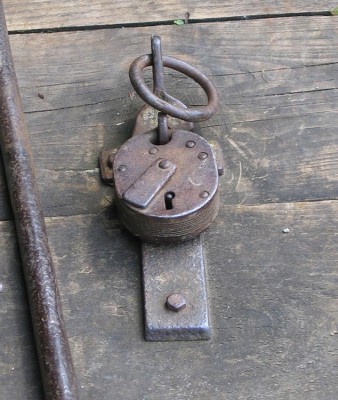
(166, 179)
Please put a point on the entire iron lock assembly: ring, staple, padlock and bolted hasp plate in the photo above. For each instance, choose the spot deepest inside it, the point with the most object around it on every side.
(166, 193)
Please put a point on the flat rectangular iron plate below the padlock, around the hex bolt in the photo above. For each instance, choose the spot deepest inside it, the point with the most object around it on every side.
(175, 268)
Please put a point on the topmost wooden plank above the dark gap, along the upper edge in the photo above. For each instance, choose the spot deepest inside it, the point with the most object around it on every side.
(44, 14)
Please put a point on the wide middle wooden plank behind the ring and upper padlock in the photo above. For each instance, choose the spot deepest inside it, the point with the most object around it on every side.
(276, 123)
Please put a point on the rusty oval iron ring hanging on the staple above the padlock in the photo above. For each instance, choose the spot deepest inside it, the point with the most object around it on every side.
(194, 114)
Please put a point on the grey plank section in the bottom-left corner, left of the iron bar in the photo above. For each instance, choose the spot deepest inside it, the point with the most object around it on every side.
(19, 373)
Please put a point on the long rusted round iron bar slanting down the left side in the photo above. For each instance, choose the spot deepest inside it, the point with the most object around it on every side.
(51, 340)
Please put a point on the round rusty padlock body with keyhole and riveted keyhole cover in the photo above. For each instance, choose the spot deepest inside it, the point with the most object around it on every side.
(166, 192)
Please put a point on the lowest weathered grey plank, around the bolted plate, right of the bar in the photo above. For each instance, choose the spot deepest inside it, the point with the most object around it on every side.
(273, 303)
